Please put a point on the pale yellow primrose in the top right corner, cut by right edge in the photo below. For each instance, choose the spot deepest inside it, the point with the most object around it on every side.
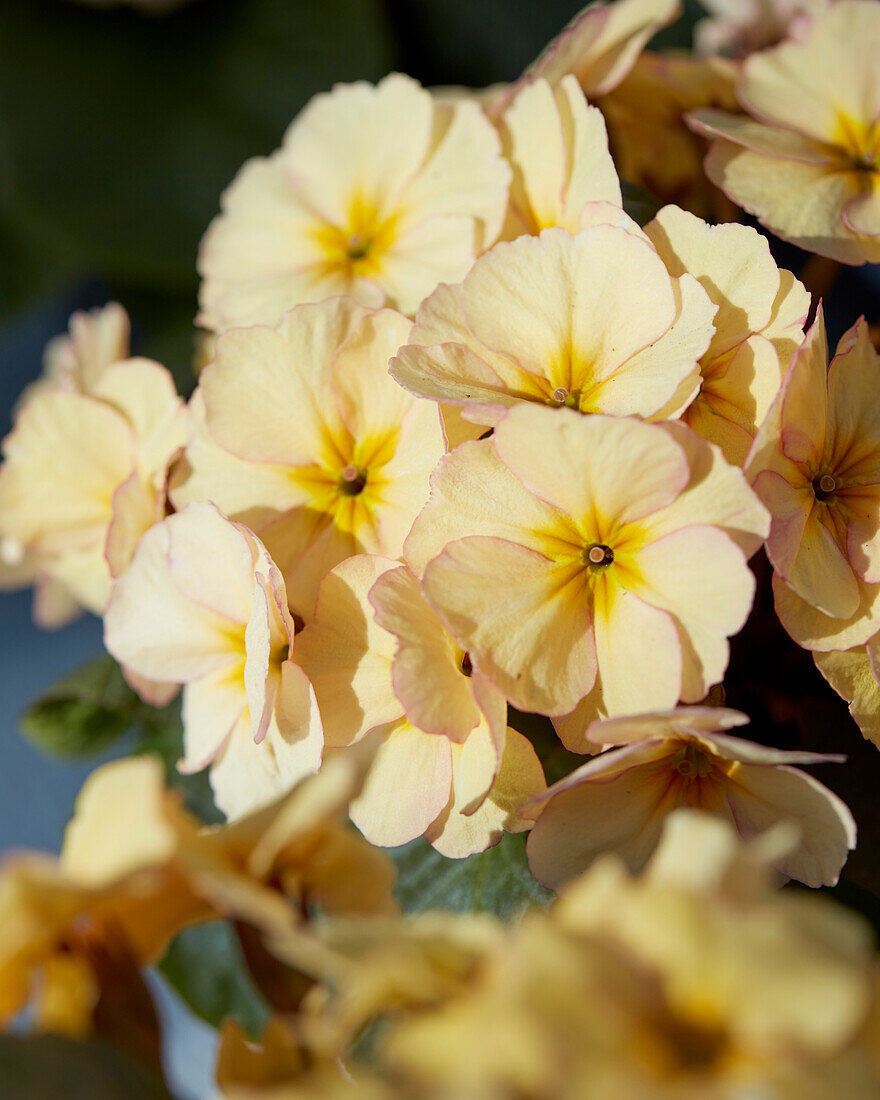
(808, 162)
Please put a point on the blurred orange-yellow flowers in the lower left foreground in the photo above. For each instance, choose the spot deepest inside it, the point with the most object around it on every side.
(137, 868)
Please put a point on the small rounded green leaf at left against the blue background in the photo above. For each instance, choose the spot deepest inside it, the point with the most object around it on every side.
(84, 713)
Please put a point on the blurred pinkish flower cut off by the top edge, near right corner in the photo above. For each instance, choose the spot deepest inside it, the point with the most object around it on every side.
(740, 28)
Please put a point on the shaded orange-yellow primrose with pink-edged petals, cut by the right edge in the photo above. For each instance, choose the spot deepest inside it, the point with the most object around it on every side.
(816, 464)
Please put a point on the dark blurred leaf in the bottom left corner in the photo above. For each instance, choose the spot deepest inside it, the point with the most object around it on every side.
(48, 1068)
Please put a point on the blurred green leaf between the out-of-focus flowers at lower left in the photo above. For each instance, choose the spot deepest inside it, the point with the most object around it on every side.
(206, 966)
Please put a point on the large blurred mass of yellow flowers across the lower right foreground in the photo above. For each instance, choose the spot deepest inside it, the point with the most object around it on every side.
(691, 981)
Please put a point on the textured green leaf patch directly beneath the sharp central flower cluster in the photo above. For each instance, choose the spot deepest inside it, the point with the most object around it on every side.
(497, 882)
